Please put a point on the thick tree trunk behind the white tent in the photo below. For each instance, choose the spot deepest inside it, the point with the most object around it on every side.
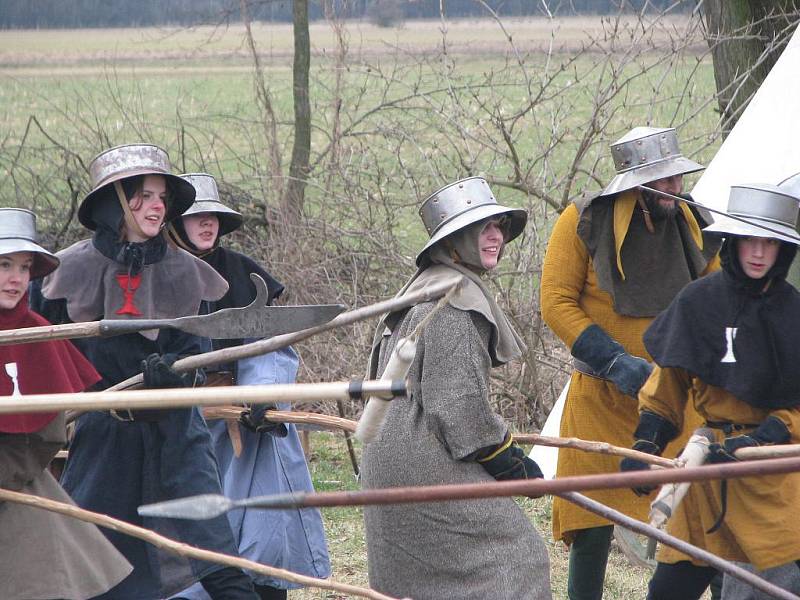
(746, 37)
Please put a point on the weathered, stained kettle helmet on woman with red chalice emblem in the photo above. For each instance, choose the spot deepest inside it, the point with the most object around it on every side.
(129, 160)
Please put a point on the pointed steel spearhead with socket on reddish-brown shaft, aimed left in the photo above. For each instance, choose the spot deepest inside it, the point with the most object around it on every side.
(208, 506)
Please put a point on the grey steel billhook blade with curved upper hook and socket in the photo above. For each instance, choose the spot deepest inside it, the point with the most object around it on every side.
(256, 320)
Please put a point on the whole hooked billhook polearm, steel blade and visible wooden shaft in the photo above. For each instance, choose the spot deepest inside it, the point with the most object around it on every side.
(257, 320)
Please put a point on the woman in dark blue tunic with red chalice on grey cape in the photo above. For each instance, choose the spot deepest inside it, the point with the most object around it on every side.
(122, 459)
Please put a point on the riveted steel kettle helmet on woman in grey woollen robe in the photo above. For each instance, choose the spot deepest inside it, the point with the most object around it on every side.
(462, 203)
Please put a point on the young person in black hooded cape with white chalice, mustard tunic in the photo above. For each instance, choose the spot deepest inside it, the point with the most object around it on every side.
(727, 346)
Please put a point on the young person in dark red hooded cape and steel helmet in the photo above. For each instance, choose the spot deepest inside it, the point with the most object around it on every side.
(42, 554)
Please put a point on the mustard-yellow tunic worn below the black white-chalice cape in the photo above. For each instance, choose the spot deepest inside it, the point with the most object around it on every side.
(760, 525)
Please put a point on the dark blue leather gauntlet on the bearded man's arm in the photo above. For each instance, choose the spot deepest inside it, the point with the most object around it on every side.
(607, 358)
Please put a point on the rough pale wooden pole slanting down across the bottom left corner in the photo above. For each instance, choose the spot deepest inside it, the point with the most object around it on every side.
(182, 549)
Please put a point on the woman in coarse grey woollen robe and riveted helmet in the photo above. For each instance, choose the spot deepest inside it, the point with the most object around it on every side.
(445, 431)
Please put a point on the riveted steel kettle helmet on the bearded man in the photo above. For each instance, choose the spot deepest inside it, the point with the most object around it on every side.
(646, 154)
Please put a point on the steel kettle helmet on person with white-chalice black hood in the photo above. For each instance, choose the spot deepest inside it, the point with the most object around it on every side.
(761, 204)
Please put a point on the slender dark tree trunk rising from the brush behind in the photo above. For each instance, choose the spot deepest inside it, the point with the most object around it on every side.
(298, 170)
